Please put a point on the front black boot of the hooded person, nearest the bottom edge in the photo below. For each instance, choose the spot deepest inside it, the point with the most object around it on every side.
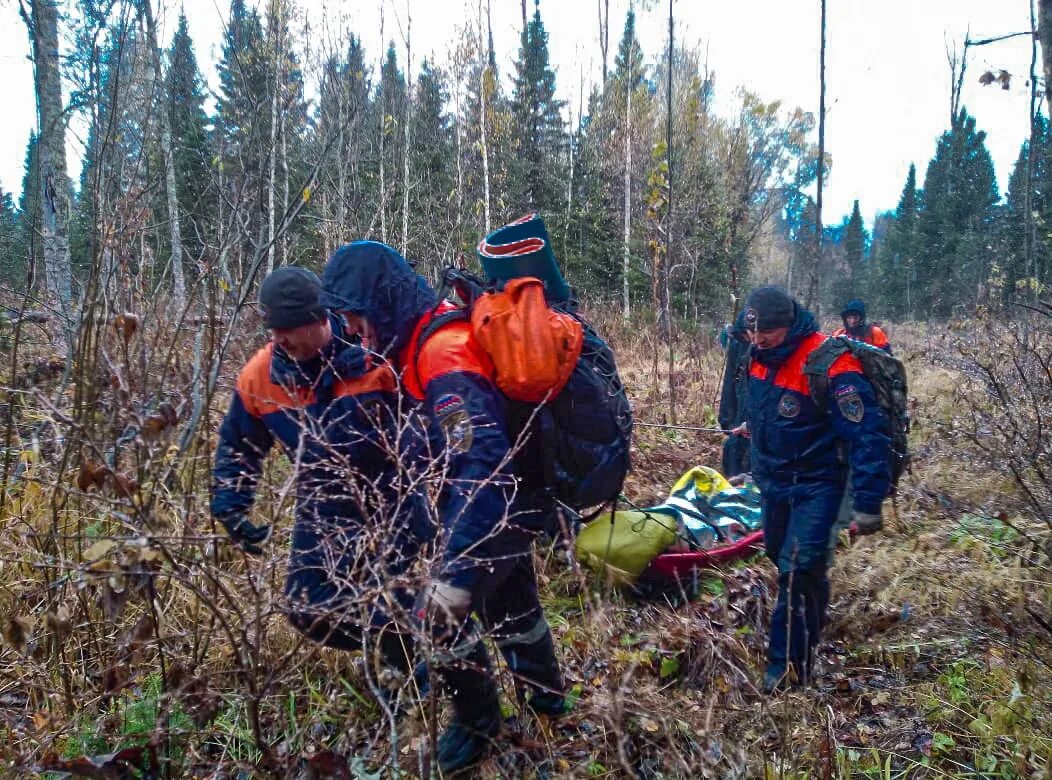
(477, 713)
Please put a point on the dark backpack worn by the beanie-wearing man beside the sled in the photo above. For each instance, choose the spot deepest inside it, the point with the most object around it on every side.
(887, 375)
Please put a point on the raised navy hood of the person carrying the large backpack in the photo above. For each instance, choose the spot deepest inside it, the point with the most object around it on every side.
(376, 283)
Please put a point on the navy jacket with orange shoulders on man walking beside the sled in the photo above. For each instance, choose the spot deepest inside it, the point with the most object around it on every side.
(794, 442)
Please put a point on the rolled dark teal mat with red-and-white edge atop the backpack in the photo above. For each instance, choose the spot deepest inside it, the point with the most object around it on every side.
(523, 249)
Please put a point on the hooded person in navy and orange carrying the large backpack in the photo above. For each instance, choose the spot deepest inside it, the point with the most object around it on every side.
(487, 507)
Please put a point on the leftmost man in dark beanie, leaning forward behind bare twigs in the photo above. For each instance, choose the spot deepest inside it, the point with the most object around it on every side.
(312, 391)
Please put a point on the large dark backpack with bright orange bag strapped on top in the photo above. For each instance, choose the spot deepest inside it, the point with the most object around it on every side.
(549, 359)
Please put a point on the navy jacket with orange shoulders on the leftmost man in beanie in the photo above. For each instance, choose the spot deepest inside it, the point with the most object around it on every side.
(334, 416)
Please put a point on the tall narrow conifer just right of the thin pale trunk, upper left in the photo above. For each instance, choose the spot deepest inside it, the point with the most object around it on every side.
(192, 146)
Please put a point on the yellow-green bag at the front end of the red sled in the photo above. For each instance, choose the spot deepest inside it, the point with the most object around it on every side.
(622, 548)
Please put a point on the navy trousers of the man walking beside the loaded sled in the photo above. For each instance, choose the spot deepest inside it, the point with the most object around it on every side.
(798, 519)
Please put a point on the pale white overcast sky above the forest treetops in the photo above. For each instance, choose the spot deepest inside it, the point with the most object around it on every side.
(887, 74)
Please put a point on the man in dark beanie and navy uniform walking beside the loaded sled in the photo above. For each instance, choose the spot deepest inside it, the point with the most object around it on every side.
(798, 466)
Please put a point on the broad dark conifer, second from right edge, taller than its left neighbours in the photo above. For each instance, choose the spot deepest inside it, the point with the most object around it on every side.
(956, 222)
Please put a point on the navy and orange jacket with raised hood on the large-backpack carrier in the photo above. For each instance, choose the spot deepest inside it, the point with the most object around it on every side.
(452, 379)
